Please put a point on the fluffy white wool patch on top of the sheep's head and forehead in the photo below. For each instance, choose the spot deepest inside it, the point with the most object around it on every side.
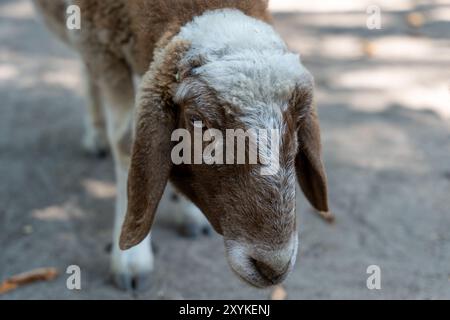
(246, 62)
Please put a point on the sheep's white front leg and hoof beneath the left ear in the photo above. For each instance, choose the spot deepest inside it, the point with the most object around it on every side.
(131, 268)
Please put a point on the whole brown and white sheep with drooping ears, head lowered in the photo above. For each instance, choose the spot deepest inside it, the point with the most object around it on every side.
(219, 62)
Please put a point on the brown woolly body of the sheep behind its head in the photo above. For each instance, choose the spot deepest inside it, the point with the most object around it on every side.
(131, 30)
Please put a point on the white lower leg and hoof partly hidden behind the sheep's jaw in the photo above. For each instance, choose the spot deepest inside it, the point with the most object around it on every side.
(186, 216)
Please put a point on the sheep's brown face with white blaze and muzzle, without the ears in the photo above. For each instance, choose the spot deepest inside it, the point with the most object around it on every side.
(251, 203)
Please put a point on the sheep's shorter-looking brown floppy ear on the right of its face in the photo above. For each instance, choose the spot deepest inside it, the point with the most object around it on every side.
(310, 169)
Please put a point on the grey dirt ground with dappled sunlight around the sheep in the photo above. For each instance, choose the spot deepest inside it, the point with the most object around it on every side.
(385, 109)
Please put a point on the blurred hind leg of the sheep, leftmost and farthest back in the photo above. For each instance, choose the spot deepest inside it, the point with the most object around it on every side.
(95, 140)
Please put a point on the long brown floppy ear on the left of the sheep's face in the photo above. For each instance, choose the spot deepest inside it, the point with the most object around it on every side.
(151, 162)
